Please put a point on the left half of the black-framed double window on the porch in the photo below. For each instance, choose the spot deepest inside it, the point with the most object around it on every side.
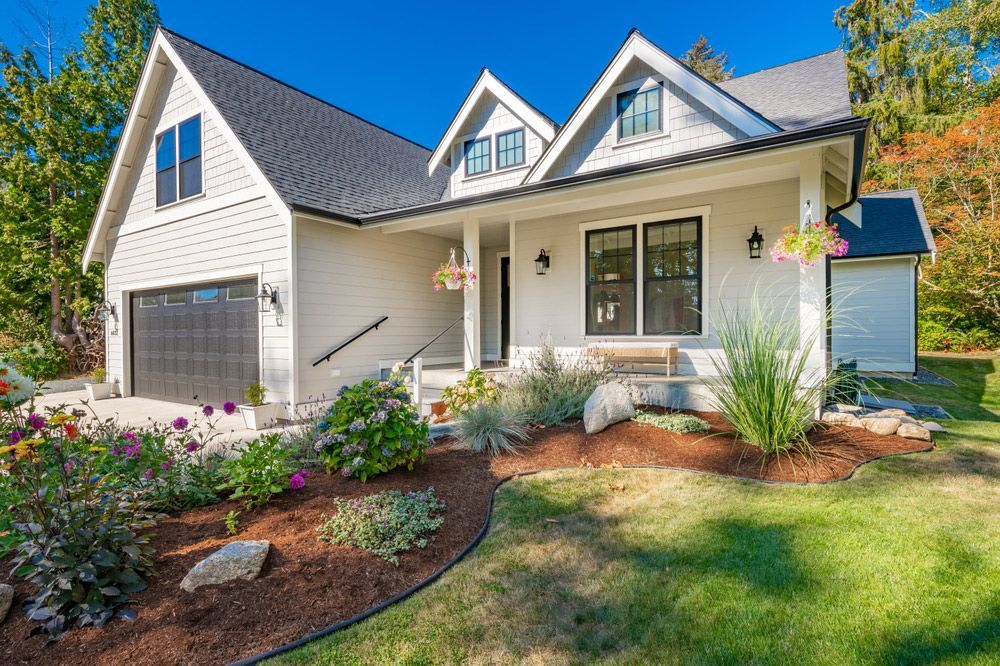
(611, 281)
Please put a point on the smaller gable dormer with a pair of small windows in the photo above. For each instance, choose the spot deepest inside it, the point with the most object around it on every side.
(493, 140)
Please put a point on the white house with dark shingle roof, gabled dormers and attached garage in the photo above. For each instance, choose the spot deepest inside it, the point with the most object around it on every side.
(228, 184)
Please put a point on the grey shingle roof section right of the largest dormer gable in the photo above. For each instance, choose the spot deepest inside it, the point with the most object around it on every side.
(812, 91)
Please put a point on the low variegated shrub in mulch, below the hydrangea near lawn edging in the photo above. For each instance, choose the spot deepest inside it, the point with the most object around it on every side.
(385, 524)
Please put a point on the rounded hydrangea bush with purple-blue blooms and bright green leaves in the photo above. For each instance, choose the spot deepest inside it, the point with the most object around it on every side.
(372, 428)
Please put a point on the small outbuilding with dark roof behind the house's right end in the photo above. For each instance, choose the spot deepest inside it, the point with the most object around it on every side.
(875, 286)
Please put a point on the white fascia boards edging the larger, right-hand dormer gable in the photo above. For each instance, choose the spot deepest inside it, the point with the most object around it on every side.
(637, 47)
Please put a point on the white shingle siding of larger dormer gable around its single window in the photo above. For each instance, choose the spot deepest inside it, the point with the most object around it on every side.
(690, 125)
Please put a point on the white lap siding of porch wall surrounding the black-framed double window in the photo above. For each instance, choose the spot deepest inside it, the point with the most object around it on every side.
(551, 305)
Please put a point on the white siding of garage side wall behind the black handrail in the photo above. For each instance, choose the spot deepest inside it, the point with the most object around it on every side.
(348, 278)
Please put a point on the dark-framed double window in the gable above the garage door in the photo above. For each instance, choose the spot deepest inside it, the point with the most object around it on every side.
(178, 162)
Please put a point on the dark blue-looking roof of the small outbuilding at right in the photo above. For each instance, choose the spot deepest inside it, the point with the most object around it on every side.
(891, 223)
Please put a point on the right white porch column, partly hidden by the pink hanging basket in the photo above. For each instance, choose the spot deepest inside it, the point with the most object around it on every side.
(813, 283)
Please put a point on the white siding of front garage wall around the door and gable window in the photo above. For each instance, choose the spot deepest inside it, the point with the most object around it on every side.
(231, 231)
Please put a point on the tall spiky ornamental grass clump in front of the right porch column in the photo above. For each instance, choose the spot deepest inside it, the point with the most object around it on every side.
(763, 385)
